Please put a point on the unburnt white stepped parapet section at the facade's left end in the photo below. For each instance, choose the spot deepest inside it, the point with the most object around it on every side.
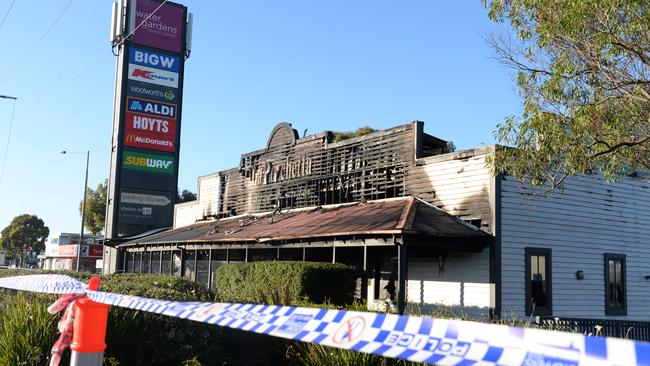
(207, 202)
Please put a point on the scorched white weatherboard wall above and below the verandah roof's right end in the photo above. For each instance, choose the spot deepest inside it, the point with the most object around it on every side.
(461, 184)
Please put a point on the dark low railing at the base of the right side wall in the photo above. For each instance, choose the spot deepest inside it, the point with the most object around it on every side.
(628, 329)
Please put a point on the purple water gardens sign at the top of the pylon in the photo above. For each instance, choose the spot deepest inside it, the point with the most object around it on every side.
(161, 25)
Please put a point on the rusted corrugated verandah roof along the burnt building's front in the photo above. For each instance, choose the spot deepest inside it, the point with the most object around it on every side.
(397, 216)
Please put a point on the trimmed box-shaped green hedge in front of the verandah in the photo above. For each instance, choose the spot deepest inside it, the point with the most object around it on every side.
(286, 282)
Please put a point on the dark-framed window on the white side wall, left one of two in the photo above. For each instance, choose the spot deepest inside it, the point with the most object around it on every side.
(538, 282)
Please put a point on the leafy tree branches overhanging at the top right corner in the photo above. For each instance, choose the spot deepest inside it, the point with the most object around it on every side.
(583, 71)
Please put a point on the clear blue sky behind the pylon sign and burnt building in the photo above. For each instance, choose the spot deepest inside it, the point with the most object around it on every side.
(321, 65)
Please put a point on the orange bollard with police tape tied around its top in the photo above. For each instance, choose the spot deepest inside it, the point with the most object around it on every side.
(88, 340)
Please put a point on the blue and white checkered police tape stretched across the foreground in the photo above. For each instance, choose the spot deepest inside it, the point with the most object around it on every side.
(419, 339)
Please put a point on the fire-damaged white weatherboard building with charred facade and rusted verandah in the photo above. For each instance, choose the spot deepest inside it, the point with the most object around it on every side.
(435, 225)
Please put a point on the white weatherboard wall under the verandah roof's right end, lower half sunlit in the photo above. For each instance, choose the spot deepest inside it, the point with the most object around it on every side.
(463, 285)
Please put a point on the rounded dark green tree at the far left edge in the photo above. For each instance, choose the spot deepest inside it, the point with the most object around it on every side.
(26, 233)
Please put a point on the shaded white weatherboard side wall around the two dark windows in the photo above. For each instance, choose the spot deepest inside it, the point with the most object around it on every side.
(588, 218)
